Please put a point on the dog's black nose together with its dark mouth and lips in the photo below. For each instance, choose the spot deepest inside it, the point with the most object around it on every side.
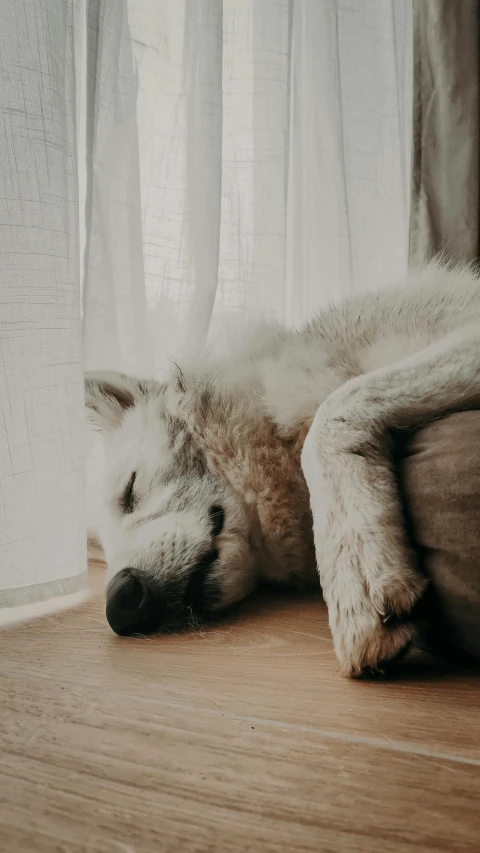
(137, 603)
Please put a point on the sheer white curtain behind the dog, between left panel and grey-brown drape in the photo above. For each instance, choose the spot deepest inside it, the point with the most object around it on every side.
(250, 158)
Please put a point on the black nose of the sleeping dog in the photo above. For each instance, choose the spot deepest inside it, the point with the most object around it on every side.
(132, 607)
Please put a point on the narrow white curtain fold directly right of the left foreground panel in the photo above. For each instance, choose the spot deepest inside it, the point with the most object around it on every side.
(115, 310)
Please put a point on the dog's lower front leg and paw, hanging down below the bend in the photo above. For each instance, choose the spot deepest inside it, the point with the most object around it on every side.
(366, 569)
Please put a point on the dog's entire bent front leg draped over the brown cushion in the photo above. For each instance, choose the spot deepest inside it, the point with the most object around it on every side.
(367, 570)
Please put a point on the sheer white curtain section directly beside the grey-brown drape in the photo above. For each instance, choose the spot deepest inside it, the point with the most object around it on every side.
(350, 150)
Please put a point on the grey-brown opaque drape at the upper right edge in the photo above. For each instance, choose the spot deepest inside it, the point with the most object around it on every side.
(446, 153)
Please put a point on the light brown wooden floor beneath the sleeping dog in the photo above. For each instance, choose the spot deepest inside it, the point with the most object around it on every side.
(242, 737)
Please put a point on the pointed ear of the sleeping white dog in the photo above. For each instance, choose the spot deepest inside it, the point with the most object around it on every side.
(108, 395)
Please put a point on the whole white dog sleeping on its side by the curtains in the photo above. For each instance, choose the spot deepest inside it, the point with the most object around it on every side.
(204, 496)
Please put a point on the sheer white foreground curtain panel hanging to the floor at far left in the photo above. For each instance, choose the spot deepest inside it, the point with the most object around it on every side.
(42, 458)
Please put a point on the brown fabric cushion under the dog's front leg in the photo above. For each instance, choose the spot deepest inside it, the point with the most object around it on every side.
(439, 467)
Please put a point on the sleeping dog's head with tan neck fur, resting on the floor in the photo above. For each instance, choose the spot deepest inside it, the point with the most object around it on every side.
(200, 499)
